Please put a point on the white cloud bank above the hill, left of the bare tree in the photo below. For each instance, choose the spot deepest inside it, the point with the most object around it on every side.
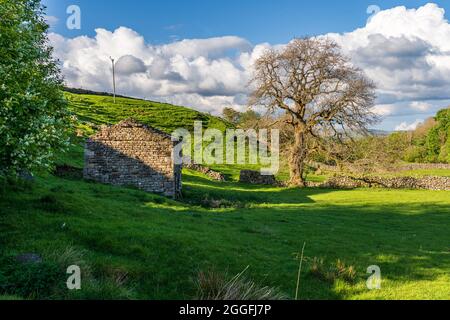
(207, 74)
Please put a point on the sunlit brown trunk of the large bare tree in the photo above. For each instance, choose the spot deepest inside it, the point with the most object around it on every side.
(297, 159)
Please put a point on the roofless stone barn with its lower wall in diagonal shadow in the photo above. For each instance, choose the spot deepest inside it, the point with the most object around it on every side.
(133, 154)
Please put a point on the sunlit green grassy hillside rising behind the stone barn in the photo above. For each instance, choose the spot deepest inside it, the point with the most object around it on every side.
(95, 108)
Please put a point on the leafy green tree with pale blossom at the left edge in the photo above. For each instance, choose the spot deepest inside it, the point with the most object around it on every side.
(33, 115)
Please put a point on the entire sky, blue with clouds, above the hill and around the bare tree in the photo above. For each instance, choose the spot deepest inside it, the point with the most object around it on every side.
(156, 45)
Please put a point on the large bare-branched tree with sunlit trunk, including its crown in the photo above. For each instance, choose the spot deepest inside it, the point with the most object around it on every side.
(318, 90)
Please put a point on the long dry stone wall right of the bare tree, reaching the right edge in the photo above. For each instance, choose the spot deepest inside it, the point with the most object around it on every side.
(427, 183)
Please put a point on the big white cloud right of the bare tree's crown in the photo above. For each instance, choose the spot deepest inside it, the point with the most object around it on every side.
(407, 53)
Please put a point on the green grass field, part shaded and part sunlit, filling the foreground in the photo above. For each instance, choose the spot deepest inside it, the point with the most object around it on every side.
(134, 245)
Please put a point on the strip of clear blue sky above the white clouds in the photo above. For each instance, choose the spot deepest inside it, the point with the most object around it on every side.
(273, 21)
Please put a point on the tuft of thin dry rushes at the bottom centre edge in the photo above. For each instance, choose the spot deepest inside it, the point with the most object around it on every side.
(216, 286)
